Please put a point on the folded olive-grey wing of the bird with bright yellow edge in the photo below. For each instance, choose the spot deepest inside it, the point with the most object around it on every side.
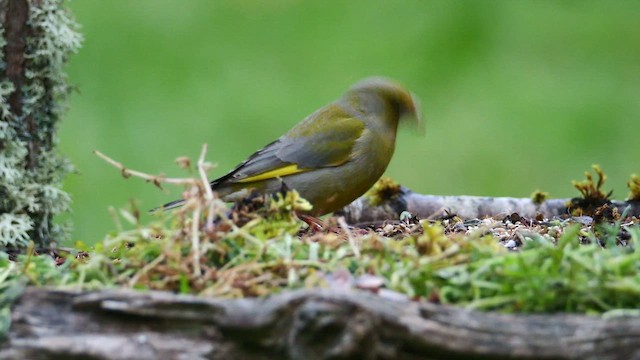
(318, 141)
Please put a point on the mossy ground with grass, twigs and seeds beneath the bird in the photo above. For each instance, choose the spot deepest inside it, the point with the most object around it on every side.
(259, 247)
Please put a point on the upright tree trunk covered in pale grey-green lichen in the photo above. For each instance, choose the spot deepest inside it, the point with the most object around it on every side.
(38, 36)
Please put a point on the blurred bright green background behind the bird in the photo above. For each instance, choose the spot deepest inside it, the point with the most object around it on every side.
(517, 95)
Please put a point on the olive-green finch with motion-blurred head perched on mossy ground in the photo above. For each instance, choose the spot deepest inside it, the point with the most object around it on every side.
(331, 157)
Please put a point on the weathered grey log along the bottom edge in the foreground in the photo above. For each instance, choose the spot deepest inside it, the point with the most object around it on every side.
(308, 324)
